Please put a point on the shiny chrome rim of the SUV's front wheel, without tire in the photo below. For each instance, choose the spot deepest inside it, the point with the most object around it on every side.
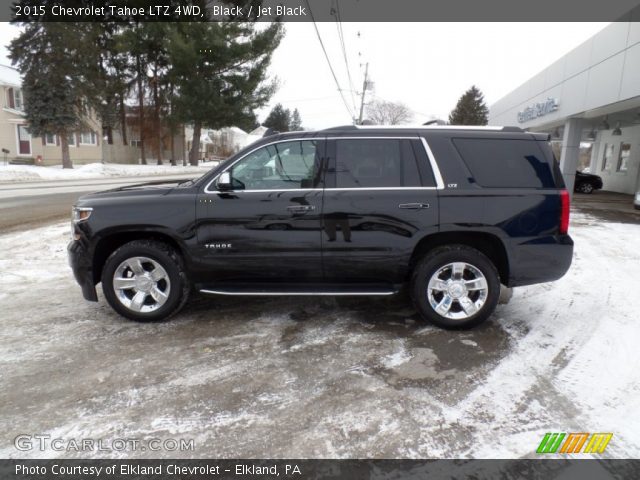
(141, 284)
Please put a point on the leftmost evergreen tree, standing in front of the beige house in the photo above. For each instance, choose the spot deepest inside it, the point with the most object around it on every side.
(54, 83)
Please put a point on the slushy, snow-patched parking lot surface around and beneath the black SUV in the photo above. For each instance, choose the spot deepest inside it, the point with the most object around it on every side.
(336, 377)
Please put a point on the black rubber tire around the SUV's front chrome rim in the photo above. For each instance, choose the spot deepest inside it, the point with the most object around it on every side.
(173, 266)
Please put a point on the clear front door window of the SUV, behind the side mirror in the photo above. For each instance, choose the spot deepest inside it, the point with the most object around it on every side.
(280, 166)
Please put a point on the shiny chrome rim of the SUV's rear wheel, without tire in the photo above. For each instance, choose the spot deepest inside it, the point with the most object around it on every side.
(457, 291)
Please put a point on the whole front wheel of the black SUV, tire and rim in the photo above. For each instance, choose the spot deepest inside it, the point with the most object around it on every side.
(144, 280)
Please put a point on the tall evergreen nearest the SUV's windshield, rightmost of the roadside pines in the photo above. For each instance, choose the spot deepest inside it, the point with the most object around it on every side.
(219, 71)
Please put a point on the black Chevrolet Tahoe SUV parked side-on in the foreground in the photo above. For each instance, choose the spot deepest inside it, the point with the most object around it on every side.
(452, 212)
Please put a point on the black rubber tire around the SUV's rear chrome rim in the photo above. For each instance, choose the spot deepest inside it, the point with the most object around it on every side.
(437, 261)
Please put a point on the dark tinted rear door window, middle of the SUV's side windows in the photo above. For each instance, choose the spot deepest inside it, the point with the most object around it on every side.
(375, 163)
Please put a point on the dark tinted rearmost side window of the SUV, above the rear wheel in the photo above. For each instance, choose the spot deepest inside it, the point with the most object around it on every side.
(505, 163)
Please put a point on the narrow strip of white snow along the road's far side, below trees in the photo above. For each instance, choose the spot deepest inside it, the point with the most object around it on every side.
(24, 173)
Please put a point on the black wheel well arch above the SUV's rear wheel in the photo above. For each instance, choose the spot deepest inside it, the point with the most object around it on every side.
(487, 243)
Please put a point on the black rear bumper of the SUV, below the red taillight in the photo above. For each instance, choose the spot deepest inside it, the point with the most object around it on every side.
(541, 260)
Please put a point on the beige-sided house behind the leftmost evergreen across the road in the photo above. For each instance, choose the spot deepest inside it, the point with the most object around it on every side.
(84, 146)
